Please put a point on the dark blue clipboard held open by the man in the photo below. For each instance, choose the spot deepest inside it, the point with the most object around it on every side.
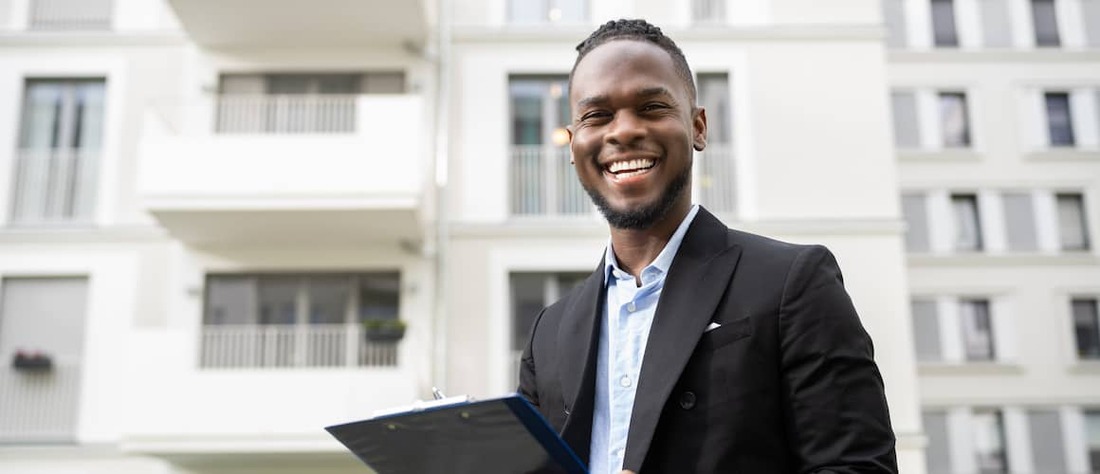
(498, 436)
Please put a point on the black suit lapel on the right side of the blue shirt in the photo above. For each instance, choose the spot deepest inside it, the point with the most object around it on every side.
(696, 283)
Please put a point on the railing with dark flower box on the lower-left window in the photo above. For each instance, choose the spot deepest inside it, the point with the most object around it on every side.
(38, 407)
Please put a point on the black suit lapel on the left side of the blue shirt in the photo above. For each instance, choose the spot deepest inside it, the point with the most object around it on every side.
(578, 345)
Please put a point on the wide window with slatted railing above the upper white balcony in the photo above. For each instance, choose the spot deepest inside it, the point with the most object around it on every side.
(298, 103)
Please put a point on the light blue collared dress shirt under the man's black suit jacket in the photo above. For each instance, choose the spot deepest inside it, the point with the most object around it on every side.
(623, 336)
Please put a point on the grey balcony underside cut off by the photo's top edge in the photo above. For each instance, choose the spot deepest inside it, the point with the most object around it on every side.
(271, 24)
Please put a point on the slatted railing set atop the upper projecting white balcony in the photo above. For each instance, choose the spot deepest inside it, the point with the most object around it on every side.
(287, 114)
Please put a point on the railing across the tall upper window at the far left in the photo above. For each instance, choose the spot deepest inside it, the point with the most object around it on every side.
(54, 188)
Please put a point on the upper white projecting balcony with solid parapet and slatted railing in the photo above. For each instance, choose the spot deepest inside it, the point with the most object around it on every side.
(287, 169)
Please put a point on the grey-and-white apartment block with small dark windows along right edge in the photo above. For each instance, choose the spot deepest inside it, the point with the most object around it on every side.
(996, 115)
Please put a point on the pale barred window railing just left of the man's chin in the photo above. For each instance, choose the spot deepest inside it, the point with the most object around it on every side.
(544, 183)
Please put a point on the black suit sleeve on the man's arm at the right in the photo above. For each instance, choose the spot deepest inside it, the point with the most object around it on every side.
(838, 417)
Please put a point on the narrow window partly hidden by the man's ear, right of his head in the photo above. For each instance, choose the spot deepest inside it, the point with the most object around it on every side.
(716, 168)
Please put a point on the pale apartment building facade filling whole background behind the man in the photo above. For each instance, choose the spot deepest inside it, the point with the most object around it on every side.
(212, 216)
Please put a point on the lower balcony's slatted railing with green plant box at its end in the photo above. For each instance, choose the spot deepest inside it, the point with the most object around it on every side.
(293, 346)
